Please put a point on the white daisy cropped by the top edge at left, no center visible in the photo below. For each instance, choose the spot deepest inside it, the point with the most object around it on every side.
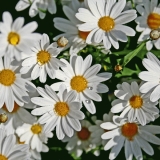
(37, 6)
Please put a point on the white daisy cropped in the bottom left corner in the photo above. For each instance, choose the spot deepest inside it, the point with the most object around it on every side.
(9, 150)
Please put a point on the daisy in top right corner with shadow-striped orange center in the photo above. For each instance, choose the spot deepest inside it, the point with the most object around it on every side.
(148, 21)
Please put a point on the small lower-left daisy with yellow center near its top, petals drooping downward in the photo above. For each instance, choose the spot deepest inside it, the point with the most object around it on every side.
(34, 135)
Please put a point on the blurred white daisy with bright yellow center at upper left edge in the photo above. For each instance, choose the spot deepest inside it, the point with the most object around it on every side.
(14, 37)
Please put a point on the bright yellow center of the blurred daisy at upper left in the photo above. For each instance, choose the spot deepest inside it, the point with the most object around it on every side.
(13, 38)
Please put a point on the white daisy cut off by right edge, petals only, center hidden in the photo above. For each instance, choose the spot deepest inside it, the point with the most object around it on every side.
(151, 77)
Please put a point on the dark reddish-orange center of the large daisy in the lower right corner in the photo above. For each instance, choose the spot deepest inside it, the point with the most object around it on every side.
(129, 130)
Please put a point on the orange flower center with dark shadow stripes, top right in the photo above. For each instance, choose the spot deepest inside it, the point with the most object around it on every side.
(153, 21)
